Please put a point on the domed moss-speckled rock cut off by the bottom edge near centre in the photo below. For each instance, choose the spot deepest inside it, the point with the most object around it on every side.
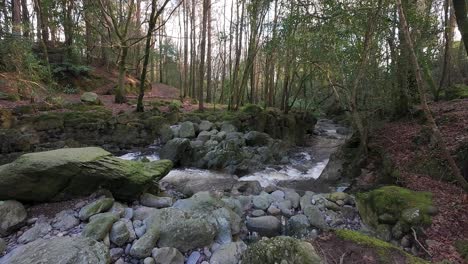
(281, 250)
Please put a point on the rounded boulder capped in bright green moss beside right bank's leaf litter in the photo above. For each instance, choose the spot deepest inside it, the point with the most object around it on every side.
(410, 207)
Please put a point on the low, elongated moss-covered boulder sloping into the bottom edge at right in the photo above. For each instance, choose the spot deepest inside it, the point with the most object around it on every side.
(386, 252)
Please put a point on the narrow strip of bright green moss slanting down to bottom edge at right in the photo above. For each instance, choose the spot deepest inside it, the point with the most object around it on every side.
(383, 248)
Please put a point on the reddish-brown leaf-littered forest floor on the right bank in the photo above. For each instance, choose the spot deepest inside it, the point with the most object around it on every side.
(399, 140)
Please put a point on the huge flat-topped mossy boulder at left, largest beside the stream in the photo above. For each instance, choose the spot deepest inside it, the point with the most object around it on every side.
(65, 173)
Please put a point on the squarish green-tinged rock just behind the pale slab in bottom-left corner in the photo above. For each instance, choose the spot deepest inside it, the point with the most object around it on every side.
(99, 226)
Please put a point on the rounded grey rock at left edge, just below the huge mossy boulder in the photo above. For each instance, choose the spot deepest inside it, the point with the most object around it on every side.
(12, 215)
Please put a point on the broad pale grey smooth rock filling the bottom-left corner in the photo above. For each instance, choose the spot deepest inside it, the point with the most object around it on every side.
(76, 250)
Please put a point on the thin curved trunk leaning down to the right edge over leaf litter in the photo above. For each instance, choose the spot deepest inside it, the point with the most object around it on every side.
(422, 94)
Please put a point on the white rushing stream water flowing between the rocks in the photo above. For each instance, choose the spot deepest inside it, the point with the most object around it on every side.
(304, 167)
